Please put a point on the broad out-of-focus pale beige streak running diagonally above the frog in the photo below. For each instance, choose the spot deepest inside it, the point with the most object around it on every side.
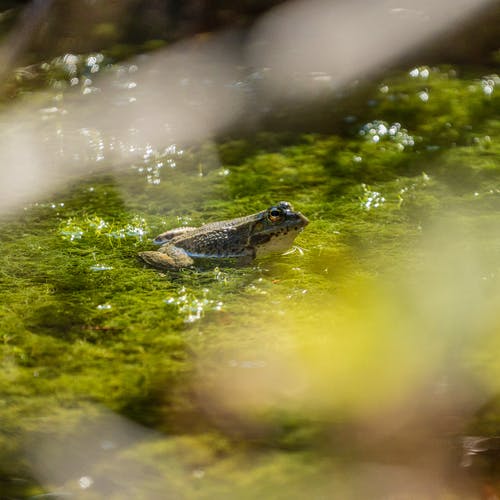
(195, 90)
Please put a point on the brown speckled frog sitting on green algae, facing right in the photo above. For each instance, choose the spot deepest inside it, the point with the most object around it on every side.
(272, 230)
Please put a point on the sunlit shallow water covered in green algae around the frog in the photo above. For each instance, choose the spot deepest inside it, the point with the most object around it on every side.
(355, 365)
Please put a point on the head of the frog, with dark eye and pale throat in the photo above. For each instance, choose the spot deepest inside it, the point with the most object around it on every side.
(276, 228)
